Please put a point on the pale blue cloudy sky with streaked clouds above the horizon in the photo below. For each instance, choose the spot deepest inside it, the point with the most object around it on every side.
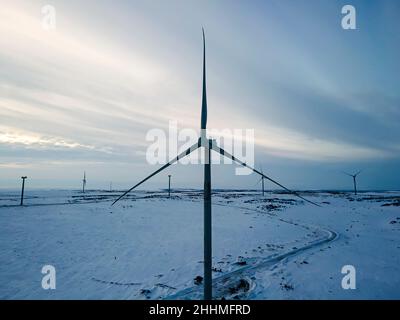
(321, 99)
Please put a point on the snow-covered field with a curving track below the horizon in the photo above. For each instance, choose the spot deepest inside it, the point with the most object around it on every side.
(150, 247)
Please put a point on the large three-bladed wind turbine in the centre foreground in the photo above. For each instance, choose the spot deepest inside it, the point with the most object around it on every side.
(208, 145)
